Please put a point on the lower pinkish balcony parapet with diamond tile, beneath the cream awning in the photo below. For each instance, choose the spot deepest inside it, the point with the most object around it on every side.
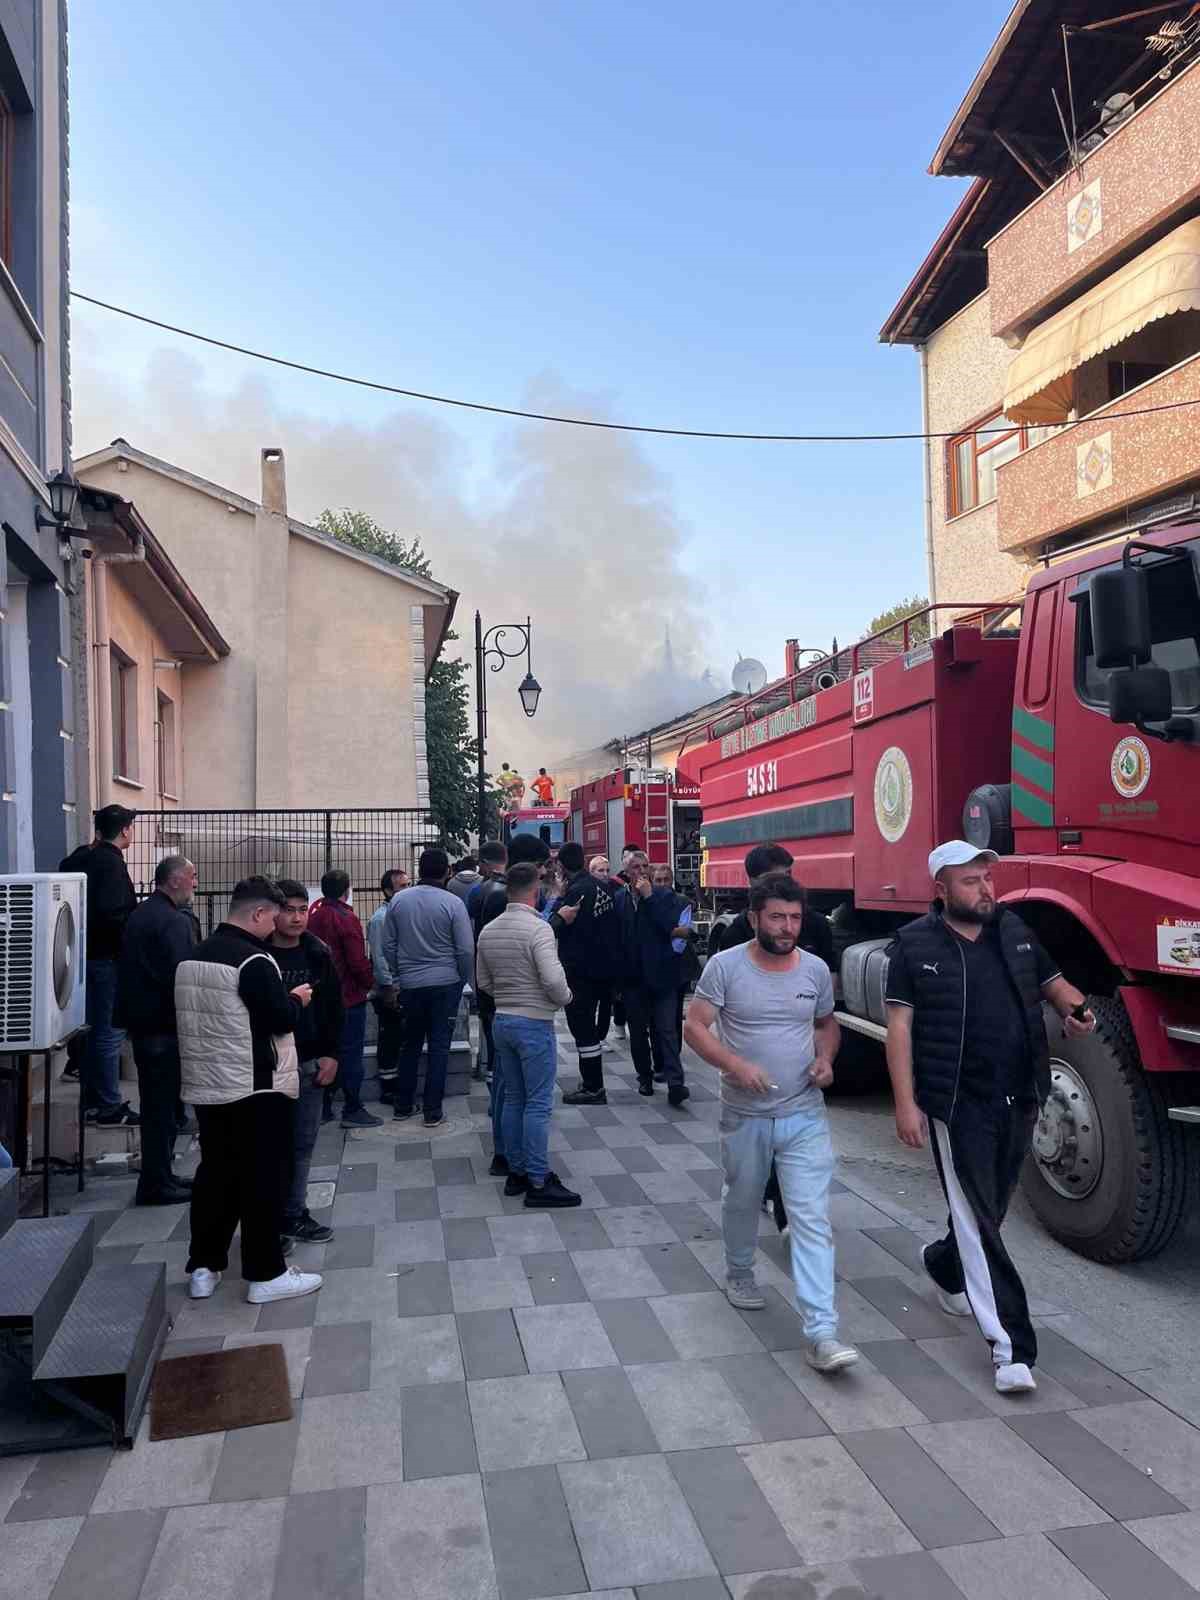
(1103, 465)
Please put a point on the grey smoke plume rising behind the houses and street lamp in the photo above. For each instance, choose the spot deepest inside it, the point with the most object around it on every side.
(572, 527)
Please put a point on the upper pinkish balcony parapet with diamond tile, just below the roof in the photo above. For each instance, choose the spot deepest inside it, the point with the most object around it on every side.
(1138, 180)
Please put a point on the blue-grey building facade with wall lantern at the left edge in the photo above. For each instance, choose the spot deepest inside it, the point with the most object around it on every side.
(44, 759)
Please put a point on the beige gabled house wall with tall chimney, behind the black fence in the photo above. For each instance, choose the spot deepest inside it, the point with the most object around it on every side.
(319, 697)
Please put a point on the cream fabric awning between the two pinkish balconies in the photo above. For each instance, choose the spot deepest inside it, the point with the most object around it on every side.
(1164, 279)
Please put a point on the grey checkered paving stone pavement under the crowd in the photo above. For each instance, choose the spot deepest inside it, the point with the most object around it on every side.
(508, 1406)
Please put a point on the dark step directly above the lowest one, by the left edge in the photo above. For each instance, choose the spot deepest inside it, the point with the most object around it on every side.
(42, 1265)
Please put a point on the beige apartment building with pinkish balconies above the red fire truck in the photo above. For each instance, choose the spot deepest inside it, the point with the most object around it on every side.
(1065, 290)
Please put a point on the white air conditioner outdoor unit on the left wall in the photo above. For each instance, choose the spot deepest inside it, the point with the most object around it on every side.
(42, 959)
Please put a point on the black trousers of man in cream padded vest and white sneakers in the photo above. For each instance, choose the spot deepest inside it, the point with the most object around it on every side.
(246, 1169)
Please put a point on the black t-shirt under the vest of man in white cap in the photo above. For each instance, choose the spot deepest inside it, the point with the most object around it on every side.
(998, 1060)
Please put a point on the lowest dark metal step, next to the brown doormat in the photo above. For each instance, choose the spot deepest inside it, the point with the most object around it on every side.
(103, 1354)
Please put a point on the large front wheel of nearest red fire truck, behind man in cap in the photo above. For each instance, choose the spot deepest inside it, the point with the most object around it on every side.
(1110, 1174)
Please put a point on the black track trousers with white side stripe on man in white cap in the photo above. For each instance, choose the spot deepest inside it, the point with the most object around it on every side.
(980, 1156)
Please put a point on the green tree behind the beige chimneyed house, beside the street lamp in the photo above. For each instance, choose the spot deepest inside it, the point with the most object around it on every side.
(450, 748)
